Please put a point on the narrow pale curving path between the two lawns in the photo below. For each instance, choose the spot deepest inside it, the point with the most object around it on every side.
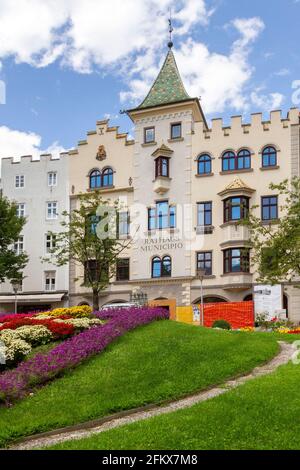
(127, 417)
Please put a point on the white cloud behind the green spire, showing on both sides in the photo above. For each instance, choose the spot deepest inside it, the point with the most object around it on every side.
(218, 78)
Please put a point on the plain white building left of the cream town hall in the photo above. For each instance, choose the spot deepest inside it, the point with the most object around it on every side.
(41, 190)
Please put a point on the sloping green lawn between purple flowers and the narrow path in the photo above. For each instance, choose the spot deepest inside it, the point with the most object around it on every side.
(160, 361)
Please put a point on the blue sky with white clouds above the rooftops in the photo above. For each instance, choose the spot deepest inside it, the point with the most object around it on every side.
(68, 63)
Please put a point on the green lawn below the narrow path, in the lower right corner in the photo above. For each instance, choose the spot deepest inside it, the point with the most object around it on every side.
(263, 414)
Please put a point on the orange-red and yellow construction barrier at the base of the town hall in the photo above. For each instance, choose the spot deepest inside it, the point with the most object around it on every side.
(238, 314)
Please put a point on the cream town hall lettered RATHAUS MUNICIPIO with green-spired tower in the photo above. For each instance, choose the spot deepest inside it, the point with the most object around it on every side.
(185, 187)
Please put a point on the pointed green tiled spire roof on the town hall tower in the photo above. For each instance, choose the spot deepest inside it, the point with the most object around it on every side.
(168, 87)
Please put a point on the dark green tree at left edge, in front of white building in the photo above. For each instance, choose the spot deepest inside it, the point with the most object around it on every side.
(11, 263)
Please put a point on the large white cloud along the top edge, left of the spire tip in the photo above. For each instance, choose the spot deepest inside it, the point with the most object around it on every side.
(90, 32)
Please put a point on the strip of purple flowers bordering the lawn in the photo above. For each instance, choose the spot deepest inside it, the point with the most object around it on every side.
(44, 367)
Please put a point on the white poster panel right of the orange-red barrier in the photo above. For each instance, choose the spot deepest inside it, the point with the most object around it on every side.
(268, 300)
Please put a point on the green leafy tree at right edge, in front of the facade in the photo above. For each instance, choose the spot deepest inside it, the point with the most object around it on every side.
(276, 247)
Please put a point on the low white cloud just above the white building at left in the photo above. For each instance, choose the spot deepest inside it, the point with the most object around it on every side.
(14, 143)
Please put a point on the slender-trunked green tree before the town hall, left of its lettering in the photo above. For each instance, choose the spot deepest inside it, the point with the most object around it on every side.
(90, 241)
